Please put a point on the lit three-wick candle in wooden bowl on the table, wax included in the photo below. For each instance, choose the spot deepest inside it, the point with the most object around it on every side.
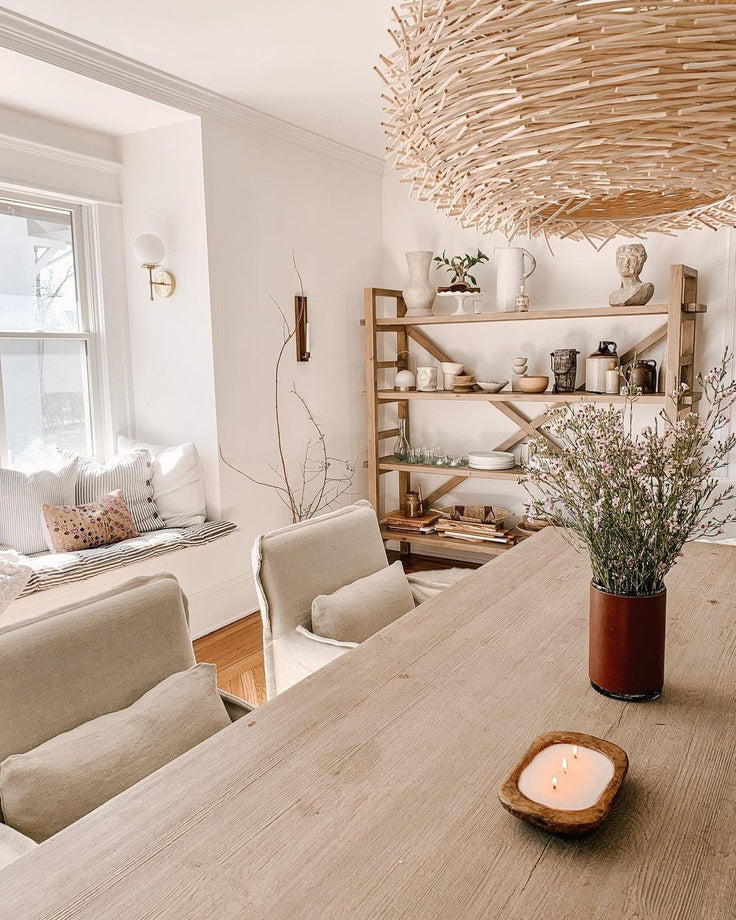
(565, 783)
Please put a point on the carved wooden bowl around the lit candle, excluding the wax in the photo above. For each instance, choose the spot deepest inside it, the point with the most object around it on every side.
(567, 823)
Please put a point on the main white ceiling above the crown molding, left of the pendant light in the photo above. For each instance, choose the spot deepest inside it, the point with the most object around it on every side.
(310, 63)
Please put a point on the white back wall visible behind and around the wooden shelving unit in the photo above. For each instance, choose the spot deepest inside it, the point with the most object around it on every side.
(576, 275)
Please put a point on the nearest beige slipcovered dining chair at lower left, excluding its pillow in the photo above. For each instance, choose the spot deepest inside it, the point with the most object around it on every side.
(74, 664)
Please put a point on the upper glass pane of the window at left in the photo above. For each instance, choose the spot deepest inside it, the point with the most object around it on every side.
(38, 288)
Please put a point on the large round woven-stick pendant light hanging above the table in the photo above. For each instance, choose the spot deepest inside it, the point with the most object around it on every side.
(567, 118)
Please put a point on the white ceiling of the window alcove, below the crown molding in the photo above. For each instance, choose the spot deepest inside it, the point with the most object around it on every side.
(42, 89)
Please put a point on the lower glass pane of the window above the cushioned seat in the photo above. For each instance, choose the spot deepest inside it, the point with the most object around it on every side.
(44, 388)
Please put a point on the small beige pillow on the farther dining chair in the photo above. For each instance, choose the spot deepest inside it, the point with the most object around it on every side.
(357, 611)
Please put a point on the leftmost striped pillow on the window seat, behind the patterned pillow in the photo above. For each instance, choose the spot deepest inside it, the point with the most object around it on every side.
(21, 497)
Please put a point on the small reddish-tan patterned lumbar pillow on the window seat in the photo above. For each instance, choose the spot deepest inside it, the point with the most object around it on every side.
(69, 529)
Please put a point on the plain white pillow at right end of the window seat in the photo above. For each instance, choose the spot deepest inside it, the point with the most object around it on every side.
(178, 481)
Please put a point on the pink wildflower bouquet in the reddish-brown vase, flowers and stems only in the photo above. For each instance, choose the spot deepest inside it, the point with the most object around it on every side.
(633, 499)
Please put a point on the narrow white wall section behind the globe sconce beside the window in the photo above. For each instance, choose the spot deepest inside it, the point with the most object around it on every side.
(172, 368)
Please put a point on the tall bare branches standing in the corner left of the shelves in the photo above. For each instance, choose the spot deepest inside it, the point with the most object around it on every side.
(322, 479)
